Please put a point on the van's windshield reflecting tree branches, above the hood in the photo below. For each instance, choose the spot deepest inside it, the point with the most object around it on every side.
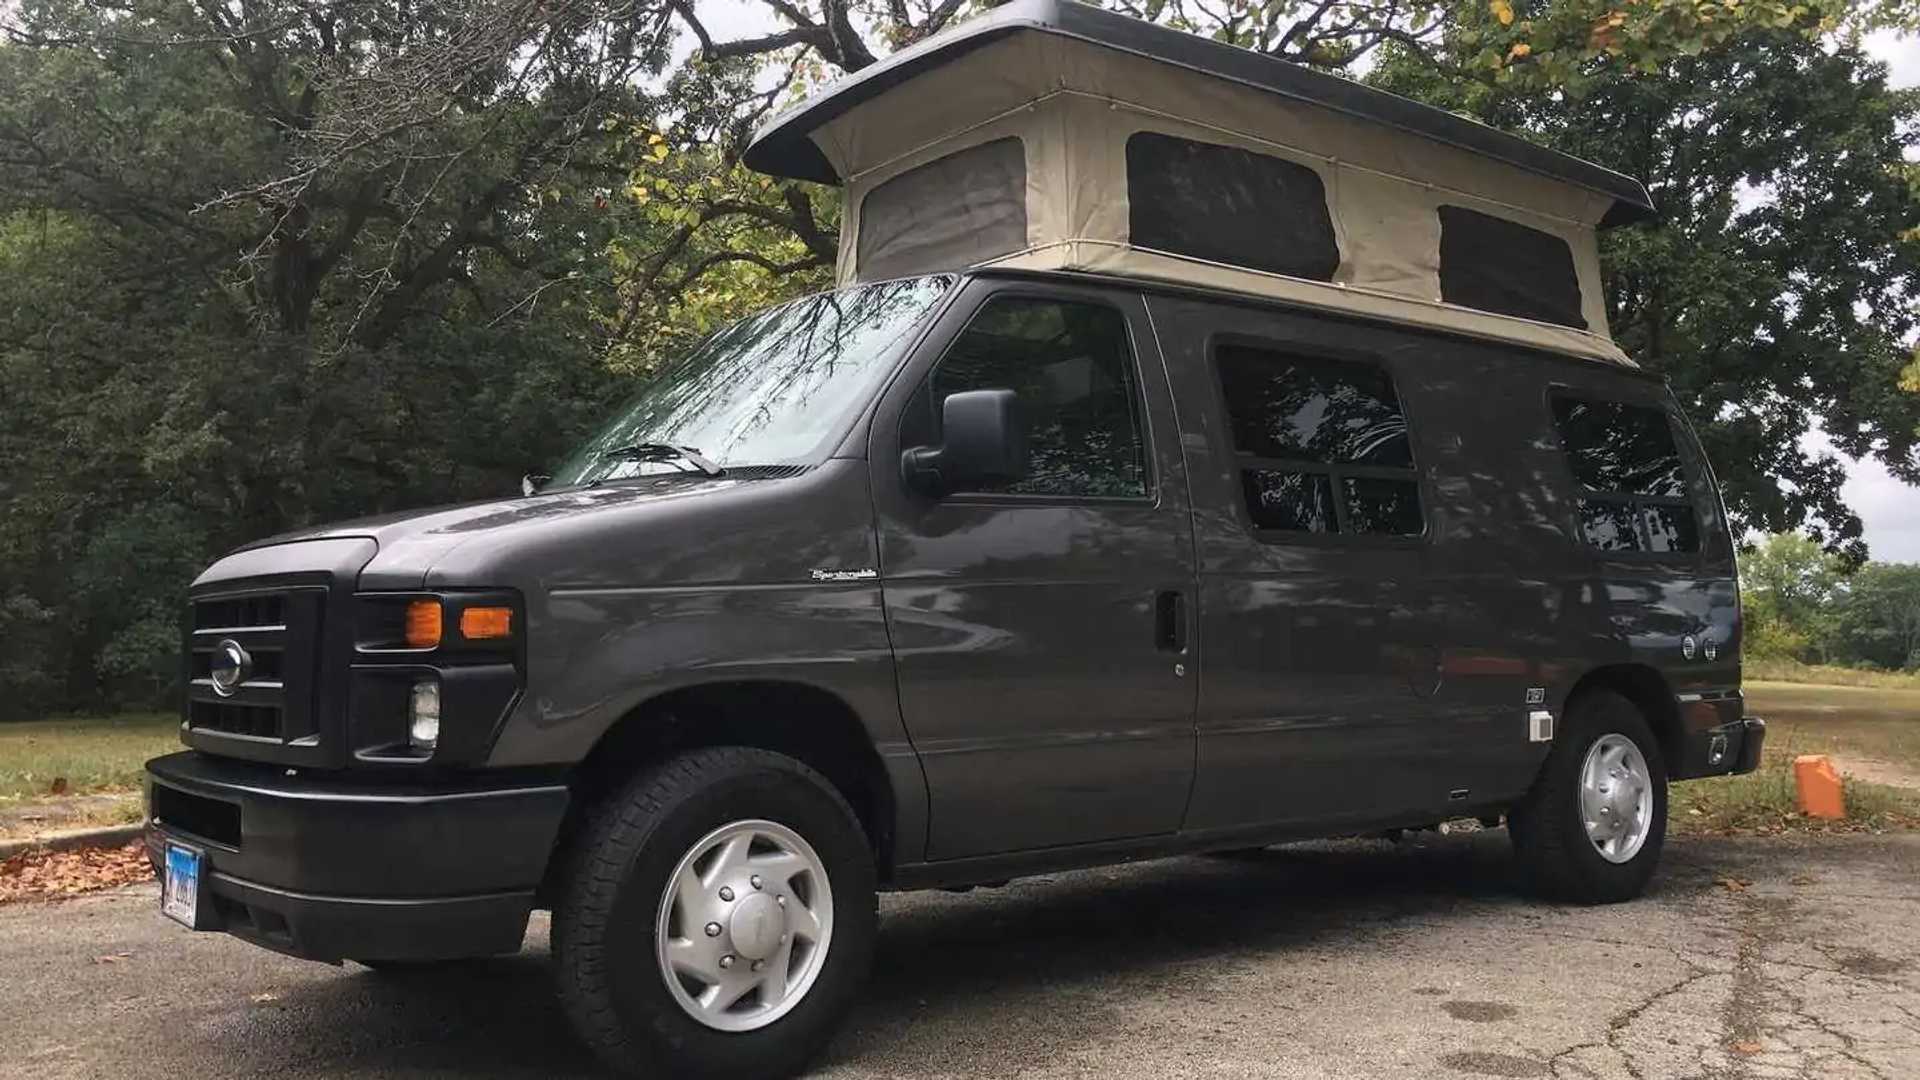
(765, 391)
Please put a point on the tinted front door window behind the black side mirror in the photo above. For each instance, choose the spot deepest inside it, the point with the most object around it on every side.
(1072, 368)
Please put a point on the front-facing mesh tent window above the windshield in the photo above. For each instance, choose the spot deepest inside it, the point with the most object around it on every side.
(948, 214)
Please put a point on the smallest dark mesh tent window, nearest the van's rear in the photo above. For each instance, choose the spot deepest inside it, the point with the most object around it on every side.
(1502, 266)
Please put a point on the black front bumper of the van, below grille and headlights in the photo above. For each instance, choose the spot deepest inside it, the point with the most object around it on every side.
(331, 868)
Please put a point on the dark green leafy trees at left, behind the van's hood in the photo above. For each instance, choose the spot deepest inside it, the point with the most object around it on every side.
(197, 351)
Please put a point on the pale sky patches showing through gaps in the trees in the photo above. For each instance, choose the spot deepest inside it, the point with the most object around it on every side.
(1888, 508)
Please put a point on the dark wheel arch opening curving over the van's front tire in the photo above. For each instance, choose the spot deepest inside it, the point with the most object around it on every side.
(798, 720)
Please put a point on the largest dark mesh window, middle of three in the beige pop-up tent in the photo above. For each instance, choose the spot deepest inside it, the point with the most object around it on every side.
(1230, 207)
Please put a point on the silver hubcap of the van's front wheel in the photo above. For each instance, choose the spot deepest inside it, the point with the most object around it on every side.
(744, 925)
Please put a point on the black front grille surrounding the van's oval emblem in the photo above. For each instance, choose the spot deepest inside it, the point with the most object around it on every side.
(279, 631)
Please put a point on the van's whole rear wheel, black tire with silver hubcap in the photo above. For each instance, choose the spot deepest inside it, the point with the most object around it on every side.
(1593, 827)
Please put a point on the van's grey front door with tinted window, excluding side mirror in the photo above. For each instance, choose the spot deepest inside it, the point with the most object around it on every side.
(1042, 629)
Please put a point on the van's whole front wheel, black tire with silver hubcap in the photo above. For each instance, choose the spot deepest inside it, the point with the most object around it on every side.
(719, 918)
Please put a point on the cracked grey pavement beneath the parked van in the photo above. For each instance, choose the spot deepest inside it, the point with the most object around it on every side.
(1750, 960)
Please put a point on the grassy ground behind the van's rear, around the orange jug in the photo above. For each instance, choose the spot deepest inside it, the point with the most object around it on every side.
(1871, 733)
